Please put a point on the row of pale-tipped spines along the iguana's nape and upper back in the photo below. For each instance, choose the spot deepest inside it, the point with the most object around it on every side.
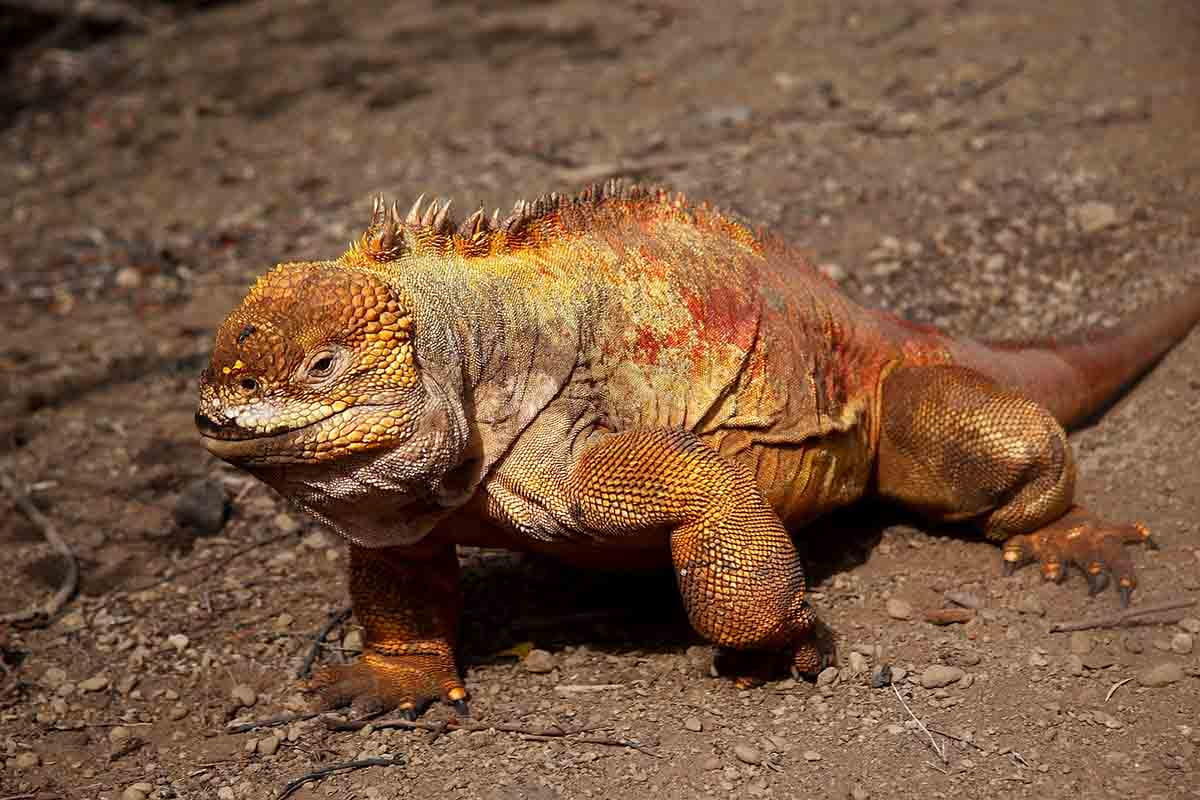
(428, 228)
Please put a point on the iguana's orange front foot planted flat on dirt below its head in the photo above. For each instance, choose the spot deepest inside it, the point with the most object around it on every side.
(409, 683)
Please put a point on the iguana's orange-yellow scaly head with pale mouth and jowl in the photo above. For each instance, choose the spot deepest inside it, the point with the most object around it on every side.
(315, 387)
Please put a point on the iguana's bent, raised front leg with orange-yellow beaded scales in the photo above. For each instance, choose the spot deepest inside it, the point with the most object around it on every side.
(739, 570)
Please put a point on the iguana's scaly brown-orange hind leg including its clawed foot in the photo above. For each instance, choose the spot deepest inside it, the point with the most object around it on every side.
(956, 447)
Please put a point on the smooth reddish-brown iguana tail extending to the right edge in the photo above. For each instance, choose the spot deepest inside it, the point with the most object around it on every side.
(1079, 377)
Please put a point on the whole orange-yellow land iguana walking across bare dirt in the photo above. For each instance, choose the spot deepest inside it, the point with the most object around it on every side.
(623, 376)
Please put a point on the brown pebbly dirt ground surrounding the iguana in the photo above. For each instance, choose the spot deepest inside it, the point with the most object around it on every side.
(1006, 167)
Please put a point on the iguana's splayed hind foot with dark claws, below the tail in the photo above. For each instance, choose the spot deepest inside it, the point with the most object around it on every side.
(1093, 545)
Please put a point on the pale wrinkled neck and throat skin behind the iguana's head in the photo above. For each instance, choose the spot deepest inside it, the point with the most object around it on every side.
(490, 362)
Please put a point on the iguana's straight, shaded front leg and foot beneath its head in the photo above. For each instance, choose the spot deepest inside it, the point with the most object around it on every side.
(409, 601)
